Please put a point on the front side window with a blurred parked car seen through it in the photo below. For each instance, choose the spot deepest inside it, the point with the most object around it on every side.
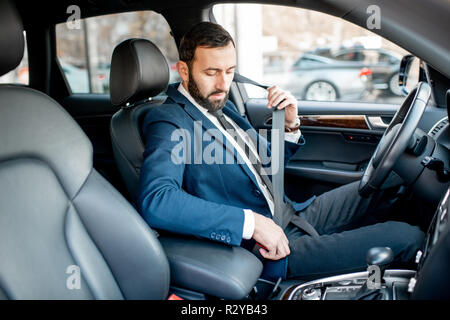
(313, 55)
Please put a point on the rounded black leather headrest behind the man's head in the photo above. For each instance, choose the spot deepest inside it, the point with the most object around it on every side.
(138, 71)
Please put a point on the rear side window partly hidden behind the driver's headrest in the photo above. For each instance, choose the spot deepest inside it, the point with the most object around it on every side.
(85, 53)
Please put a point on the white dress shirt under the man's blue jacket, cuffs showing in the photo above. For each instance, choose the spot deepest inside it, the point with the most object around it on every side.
(249, 220)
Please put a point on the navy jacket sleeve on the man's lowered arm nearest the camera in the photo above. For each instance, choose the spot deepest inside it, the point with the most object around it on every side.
(165, 205)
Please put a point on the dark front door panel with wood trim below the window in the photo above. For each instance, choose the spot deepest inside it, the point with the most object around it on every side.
(340, 139)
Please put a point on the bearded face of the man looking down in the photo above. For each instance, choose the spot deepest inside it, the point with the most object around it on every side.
(211, 74)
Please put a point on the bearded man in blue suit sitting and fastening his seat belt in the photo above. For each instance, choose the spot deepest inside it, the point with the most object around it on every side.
(183, 191)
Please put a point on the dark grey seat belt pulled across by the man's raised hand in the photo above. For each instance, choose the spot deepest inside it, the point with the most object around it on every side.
(277, 169)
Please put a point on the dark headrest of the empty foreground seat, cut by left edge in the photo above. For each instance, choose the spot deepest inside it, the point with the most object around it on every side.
(11, 37)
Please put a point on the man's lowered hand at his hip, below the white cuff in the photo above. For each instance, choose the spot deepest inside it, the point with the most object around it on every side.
(272, 237)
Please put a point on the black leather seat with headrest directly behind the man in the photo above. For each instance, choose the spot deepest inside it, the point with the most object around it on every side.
(139, 72)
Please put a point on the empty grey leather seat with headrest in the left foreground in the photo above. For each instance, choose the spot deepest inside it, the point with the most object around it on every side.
(57, 214)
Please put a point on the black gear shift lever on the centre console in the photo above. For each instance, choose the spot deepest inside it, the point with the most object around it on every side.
(381, 257)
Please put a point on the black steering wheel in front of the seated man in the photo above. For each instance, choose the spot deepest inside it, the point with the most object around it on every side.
(395, 139)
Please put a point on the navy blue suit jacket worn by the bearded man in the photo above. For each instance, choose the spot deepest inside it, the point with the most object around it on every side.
(179, 191)
